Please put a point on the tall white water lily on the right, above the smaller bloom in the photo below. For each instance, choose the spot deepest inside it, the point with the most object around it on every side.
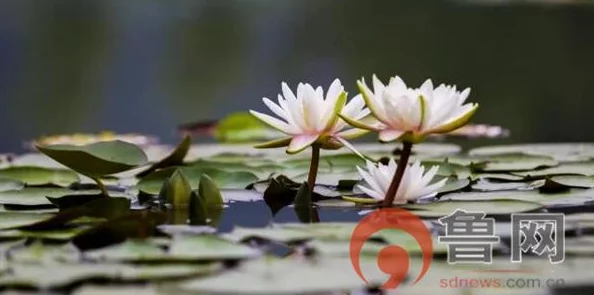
(411, 114)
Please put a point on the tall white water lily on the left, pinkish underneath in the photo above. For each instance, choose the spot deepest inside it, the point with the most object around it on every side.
(310, 117)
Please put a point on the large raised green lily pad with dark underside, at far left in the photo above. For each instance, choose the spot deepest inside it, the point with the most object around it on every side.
(97, 159)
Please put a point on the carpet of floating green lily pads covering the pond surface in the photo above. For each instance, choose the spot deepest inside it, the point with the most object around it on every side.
(143, 237)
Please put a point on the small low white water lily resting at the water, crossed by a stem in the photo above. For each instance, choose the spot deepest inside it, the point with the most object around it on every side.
(415, 182)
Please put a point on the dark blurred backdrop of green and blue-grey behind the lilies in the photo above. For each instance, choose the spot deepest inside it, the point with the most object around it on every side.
(145, 66)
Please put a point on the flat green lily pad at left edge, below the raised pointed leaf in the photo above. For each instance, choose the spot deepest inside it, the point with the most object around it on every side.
(40, 176)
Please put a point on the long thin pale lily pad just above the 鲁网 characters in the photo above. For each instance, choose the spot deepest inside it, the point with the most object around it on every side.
(492, 207)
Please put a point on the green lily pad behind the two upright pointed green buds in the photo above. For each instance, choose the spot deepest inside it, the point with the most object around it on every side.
(152, 183)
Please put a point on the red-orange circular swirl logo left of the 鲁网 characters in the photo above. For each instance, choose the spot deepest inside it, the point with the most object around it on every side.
(392, 260)
